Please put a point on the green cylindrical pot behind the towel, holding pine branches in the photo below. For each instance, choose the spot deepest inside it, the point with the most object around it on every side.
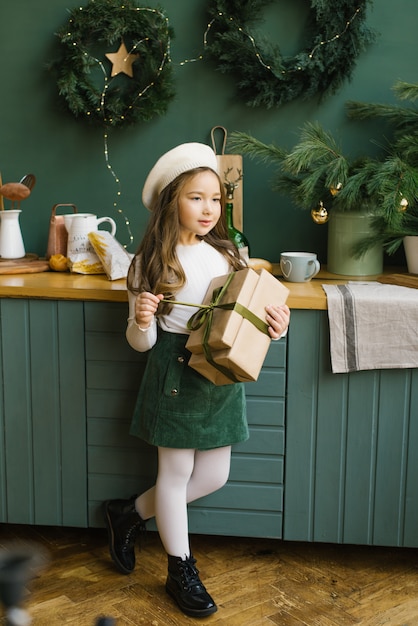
(345, 229)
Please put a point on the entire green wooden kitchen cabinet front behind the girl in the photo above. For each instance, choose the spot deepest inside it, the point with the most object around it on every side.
(331, 457)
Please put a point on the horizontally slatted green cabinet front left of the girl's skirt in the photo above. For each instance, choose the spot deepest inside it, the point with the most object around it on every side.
(119, 465)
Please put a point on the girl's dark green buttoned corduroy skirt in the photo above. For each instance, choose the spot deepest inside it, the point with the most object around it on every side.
(178, 408)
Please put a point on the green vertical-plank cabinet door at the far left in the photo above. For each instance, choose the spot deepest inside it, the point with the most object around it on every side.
(42, 413)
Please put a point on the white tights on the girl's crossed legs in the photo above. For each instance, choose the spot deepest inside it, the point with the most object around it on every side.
(183, 476)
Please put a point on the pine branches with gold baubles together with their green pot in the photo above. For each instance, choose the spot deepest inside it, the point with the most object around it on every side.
(370, 203)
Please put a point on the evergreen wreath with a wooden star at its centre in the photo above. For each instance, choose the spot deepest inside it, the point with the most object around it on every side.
(82, 70)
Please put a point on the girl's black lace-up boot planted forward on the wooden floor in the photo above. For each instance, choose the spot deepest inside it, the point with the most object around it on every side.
(185, 587)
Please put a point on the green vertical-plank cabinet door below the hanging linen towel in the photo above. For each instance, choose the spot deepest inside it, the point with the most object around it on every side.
(351, 462)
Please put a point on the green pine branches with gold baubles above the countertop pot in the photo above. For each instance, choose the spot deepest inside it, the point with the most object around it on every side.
(386, 186)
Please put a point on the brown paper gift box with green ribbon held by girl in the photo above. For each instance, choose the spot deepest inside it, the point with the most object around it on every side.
(231, 343)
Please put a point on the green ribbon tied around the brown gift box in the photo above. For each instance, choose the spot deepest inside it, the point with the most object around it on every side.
(204, 317)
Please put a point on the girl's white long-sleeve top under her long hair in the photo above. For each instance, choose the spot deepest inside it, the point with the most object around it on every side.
(201, 263)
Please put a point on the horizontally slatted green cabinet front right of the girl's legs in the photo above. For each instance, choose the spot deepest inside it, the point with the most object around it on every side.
(251, 503)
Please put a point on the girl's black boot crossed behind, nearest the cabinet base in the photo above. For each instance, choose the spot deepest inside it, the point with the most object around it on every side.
(122, 523)
